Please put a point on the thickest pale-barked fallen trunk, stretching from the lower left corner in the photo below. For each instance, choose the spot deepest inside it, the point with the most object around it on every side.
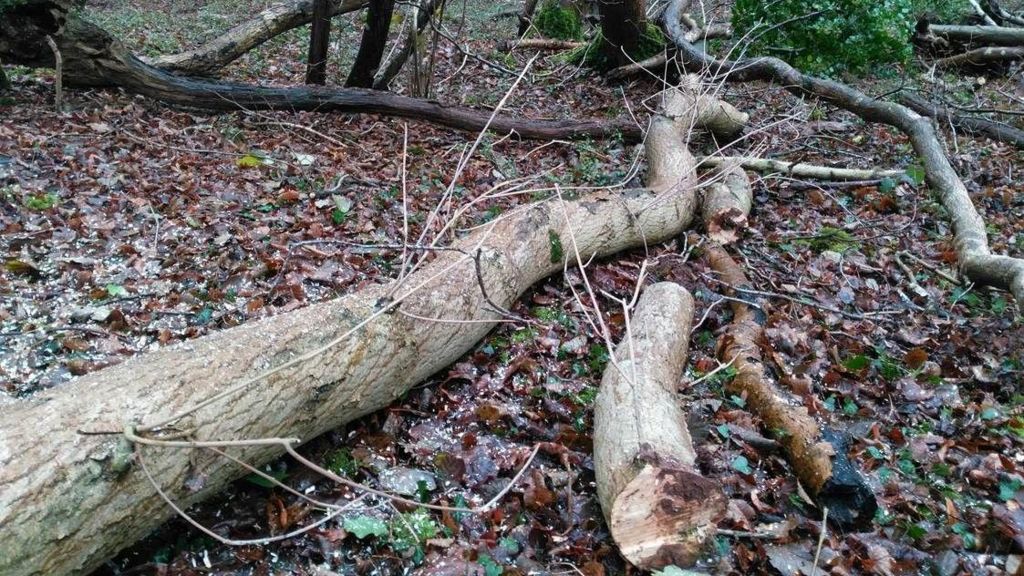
(69, 502)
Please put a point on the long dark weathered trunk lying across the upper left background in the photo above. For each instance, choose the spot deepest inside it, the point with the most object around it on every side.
(93, 58)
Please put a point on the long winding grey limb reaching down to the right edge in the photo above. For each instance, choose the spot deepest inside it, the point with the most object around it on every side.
(976, 261)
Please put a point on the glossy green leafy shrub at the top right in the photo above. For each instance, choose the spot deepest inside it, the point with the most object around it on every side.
(835, 36)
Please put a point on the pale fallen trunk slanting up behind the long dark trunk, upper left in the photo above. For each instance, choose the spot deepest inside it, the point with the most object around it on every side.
(223, 51)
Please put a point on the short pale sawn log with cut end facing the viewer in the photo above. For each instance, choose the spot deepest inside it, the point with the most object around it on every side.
(660, 510)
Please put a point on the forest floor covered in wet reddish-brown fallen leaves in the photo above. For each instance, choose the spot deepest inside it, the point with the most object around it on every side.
(125, 226)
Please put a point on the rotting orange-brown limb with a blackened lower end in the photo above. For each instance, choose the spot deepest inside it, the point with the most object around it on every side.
(819, 458)
